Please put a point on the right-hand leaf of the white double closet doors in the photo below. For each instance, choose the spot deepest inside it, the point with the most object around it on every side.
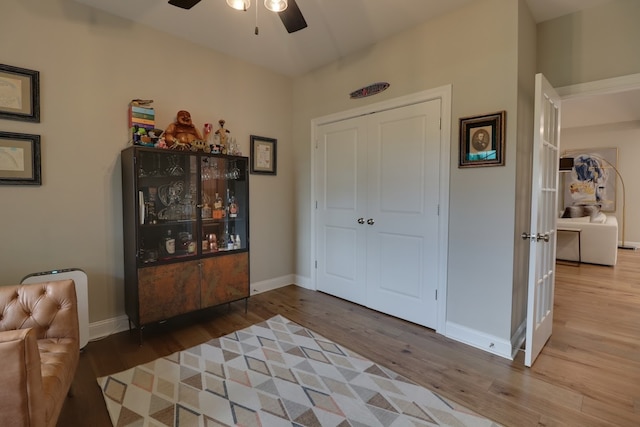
(403, 191)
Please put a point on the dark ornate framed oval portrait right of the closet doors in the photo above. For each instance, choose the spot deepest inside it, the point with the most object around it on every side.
(482, 140)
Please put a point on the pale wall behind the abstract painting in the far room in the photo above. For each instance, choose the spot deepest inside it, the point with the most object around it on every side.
(625, 137)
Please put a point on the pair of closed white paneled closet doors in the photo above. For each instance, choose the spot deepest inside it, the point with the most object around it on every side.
(377, 213)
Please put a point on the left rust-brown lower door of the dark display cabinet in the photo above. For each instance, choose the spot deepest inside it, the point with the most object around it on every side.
(169, 290)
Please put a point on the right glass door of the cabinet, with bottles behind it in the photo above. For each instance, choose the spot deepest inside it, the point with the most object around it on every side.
(224, 204)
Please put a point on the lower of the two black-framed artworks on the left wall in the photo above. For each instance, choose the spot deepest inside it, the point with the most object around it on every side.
(19, 159)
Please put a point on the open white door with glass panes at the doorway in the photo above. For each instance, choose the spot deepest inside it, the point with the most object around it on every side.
(544, 207)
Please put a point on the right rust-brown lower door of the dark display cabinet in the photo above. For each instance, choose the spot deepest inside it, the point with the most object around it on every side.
(224, 279)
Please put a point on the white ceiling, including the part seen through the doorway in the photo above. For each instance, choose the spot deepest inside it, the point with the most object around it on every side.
(336, 28)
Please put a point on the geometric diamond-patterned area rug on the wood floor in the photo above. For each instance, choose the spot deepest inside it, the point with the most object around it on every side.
(275, 373)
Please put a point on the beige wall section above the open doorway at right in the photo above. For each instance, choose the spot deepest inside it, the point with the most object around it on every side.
(596, 44)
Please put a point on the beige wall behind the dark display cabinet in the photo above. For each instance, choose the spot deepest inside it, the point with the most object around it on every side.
(91, 65)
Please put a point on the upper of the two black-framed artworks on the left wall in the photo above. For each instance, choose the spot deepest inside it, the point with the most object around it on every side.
(19, 94)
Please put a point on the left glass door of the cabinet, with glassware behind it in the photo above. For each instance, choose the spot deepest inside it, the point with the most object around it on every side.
(167, 200)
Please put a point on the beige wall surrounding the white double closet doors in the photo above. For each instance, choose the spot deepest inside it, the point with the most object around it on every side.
(483, 68)
